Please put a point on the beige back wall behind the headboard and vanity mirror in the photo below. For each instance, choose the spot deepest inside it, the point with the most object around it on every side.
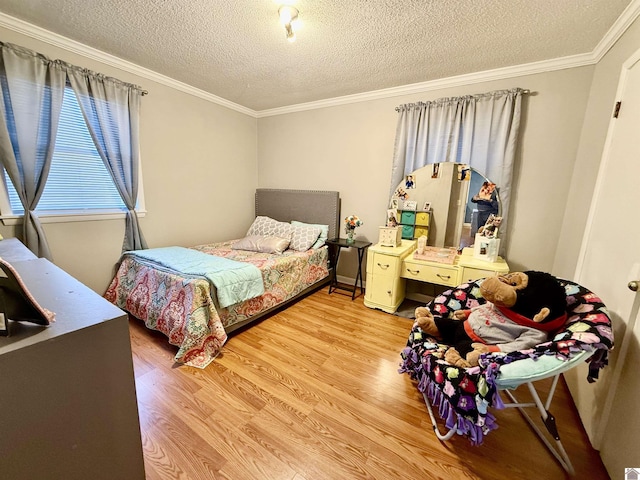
(349, 148)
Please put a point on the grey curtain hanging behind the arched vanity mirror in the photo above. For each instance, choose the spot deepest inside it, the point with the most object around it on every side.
(479, 130)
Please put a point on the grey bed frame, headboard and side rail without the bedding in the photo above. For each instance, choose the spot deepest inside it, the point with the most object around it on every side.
(308, 206)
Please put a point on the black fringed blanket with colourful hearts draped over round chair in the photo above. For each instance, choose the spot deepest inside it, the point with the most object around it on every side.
(464, 396)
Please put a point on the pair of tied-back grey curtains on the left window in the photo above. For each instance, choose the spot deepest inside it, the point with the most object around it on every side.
(31, 92)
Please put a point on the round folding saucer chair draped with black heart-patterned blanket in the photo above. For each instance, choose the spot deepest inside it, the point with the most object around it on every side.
(464, 397)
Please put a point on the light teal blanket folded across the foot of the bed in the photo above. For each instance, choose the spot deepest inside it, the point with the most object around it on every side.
(235, 282)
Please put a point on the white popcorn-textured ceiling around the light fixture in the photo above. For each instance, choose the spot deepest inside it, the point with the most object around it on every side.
(236, 49)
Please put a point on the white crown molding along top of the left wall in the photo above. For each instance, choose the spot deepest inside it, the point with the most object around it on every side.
(46, 36)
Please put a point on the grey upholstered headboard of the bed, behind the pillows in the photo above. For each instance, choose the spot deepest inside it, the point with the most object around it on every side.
(308, 206)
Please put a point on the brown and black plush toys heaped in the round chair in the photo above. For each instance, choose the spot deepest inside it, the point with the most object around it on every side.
(522, 309)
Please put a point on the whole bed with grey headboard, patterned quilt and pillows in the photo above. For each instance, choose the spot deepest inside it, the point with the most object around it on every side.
(170, 291)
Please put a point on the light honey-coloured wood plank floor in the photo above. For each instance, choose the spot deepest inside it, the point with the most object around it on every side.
(314, 392)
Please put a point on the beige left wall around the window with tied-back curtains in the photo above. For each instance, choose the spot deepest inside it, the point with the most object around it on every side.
(199, 170)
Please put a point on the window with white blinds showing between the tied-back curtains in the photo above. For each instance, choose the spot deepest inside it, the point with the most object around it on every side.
(78, 181)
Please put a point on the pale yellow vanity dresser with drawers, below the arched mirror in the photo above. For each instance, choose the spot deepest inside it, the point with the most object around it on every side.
(389, 267)
